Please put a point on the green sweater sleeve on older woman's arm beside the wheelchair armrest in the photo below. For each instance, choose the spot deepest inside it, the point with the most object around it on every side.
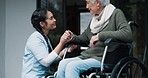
(121, 30)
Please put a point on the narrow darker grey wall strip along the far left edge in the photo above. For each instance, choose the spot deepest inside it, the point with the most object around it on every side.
(2, 39)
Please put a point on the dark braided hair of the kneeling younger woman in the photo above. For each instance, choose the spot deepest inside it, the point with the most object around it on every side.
(40, 15)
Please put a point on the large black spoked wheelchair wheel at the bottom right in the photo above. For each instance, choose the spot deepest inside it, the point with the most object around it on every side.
(129, 67)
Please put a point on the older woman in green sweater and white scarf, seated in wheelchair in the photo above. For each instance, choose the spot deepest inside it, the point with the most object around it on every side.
(107, 22)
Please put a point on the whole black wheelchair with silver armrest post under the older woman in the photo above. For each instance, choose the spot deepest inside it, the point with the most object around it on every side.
(119, 64)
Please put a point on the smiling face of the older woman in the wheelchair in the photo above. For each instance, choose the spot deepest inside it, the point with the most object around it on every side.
(93, 7)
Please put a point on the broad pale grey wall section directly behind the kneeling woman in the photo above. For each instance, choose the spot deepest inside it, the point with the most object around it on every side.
(18, 29)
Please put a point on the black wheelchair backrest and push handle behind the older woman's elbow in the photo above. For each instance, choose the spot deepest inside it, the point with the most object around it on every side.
(122, 50)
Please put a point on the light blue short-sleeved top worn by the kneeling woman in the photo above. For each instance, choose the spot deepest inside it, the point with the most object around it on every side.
(35, 50)
